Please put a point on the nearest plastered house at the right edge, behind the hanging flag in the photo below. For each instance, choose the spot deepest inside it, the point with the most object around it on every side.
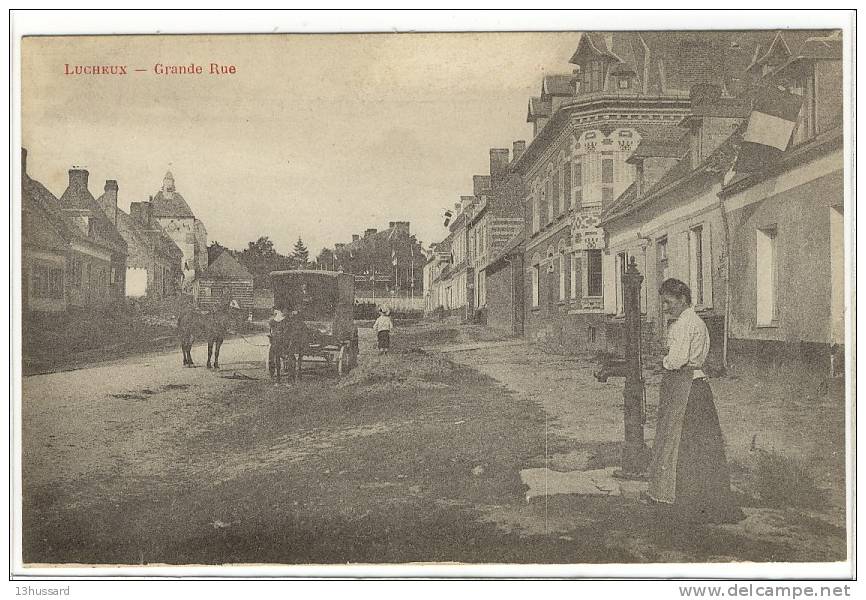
(787, 227)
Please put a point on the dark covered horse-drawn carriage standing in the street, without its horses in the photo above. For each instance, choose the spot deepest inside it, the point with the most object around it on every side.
(323, 301)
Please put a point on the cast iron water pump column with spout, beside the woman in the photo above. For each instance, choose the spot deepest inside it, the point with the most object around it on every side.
(634, 450)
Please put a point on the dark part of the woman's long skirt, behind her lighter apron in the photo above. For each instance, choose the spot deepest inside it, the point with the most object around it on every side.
(703, 490)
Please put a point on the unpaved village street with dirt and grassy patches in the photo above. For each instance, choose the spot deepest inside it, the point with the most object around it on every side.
(415, 456)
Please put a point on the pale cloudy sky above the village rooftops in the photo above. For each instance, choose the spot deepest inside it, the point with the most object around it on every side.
(314, 136)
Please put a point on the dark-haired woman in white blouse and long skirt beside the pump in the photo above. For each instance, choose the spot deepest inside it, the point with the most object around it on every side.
(689, 471)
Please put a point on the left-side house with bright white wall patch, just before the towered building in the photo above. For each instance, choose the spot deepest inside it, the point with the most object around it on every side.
(154, 261)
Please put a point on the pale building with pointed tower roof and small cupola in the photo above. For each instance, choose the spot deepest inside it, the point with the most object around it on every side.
(174, 215)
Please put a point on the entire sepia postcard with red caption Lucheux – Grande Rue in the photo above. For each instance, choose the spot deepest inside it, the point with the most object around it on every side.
(313, 302)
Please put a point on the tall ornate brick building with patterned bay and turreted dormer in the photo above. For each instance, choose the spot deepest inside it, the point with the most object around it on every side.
(619, 112)
